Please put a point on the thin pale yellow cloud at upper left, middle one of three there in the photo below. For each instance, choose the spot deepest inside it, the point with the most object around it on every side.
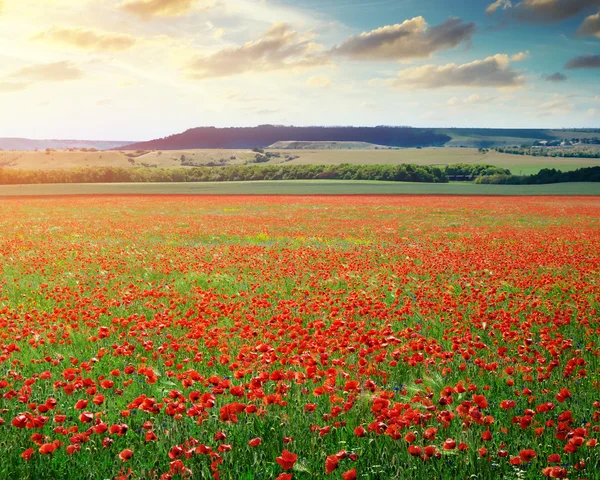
(88, 39)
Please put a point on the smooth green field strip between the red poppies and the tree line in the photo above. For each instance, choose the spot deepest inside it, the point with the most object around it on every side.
(300, 187)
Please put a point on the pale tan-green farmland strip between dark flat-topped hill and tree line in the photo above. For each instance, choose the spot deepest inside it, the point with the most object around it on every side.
(62, 159)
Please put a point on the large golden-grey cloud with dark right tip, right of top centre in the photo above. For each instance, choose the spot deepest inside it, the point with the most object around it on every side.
(411, 39)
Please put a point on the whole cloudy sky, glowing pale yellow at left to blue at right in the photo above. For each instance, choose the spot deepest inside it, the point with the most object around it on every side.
(140, 69)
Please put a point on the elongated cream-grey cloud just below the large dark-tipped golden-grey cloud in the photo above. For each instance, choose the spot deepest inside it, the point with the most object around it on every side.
(492, 72)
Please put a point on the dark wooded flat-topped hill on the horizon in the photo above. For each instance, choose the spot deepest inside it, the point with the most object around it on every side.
(265, 135)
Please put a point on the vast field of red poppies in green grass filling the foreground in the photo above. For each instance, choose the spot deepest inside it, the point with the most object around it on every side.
(273, 337)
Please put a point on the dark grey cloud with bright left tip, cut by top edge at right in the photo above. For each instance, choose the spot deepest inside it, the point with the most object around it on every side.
(544, 11)
